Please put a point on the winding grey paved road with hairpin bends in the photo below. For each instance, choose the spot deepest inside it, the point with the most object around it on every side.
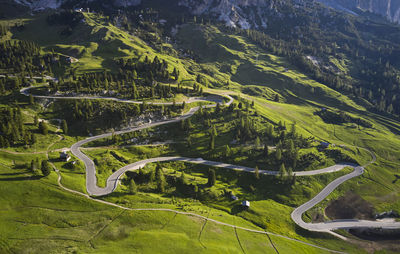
(112, 181)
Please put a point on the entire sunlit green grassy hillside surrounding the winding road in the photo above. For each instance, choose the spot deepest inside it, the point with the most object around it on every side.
(226, 63)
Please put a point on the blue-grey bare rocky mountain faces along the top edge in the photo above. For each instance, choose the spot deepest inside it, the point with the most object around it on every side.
(246, 13)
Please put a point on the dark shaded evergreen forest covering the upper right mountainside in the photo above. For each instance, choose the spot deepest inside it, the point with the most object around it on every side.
(371, 50)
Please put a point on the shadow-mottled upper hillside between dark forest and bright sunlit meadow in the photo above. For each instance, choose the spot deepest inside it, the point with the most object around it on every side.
(232, 56)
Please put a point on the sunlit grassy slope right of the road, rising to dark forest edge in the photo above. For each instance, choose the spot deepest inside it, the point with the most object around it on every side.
(304, 97)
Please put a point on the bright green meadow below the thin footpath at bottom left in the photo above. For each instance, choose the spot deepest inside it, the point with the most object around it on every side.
(33, 219)
